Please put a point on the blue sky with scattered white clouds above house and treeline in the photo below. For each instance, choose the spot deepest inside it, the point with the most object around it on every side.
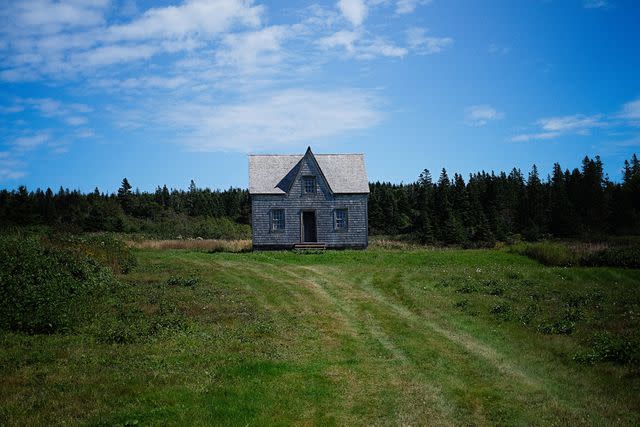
(164, 92)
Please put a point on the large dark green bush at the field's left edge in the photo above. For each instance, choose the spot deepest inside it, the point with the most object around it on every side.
(44, 289)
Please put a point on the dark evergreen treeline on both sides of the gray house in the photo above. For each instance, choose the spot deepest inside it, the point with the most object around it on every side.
(485, 208)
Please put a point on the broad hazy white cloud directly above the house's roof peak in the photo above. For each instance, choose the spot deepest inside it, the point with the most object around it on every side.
(273, 120)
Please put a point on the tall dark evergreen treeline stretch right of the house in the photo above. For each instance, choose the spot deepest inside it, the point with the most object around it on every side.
(489, 207)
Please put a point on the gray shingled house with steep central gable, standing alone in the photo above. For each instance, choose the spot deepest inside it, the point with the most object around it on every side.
(309, 200)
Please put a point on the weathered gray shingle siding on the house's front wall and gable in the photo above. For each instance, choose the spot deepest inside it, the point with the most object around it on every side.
(323, 202)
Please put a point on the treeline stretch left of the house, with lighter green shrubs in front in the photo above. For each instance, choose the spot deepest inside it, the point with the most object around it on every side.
(163, 213)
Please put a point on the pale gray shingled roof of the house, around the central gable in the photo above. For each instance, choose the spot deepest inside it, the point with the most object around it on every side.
(273, 174)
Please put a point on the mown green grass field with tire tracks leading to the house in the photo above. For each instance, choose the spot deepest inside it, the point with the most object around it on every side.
(377, 337)
